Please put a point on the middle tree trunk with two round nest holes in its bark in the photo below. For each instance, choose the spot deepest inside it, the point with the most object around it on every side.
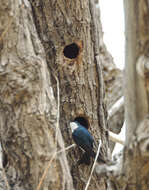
(81, 85)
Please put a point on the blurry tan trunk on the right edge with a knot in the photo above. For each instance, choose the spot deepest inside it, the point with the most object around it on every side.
(132, 170)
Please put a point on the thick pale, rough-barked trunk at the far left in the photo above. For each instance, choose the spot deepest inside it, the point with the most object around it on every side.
(28, 108)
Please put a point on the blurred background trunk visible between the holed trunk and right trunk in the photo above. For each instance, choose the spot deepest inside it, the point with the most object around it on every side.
(113, 78)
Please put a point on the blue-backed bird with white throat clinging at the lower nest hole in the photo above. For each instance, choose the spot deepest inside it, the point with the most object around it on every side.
(85, 141)
